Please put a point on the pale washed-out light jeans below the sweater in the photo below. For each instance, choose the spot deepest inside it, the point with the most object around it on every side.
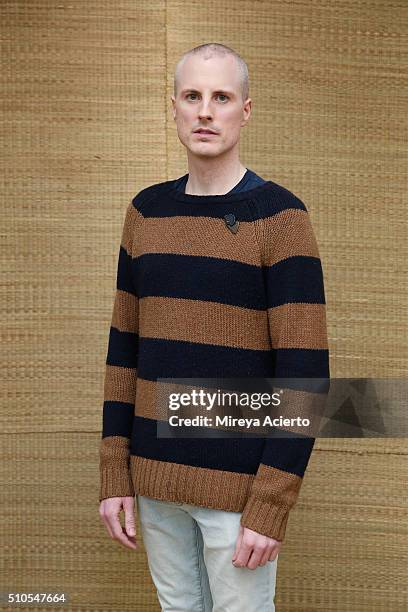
(189, 551)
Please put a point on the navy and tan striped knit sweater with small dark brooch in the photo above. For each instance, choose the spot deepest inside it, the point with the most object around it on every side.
(195, 299)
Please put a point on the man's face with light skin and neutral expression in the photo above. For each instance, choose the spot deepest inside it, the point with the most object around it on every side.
(209, 95)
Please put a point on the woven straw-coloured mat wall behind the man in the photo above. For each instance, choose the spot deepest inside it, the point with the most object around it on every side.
(86, 123)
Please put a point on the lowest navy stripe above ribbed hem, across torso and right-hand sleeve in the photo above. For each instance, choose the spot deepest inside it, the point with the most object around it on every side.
(231, 454)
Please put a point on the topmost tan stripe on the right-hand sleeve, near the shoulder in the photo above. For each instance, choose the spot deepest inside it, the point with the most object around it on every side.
(286, 234)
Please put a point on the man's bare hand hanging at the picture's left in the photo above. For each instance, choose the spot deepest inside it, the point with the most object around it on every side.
(109, 511)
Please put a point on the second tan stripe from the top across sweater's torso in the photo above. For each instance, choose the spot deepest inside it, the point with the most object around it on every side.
(203, 322)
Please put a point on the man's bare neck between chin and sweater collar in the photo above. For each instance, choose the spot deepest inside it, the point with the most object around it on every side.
(212, 176)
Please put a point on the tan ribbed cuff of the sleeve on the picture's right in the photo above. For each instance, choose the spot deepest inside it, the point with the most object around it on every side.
(265, 518)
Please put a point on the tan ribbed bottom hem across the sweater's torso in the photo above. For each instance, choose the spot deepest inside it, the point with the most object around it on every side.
(188, 484)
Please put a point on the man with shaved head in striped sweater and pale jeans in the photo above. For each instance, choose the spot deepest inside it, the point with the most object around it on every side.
(218, 275)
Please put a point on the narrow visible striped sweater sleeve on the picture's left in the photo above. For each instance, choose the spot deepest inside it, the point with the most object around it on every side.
(120, 374)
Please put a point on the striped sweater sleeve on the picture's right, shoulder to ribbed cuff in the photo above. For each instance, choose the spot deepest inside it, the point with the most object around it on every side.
(297, 326)
